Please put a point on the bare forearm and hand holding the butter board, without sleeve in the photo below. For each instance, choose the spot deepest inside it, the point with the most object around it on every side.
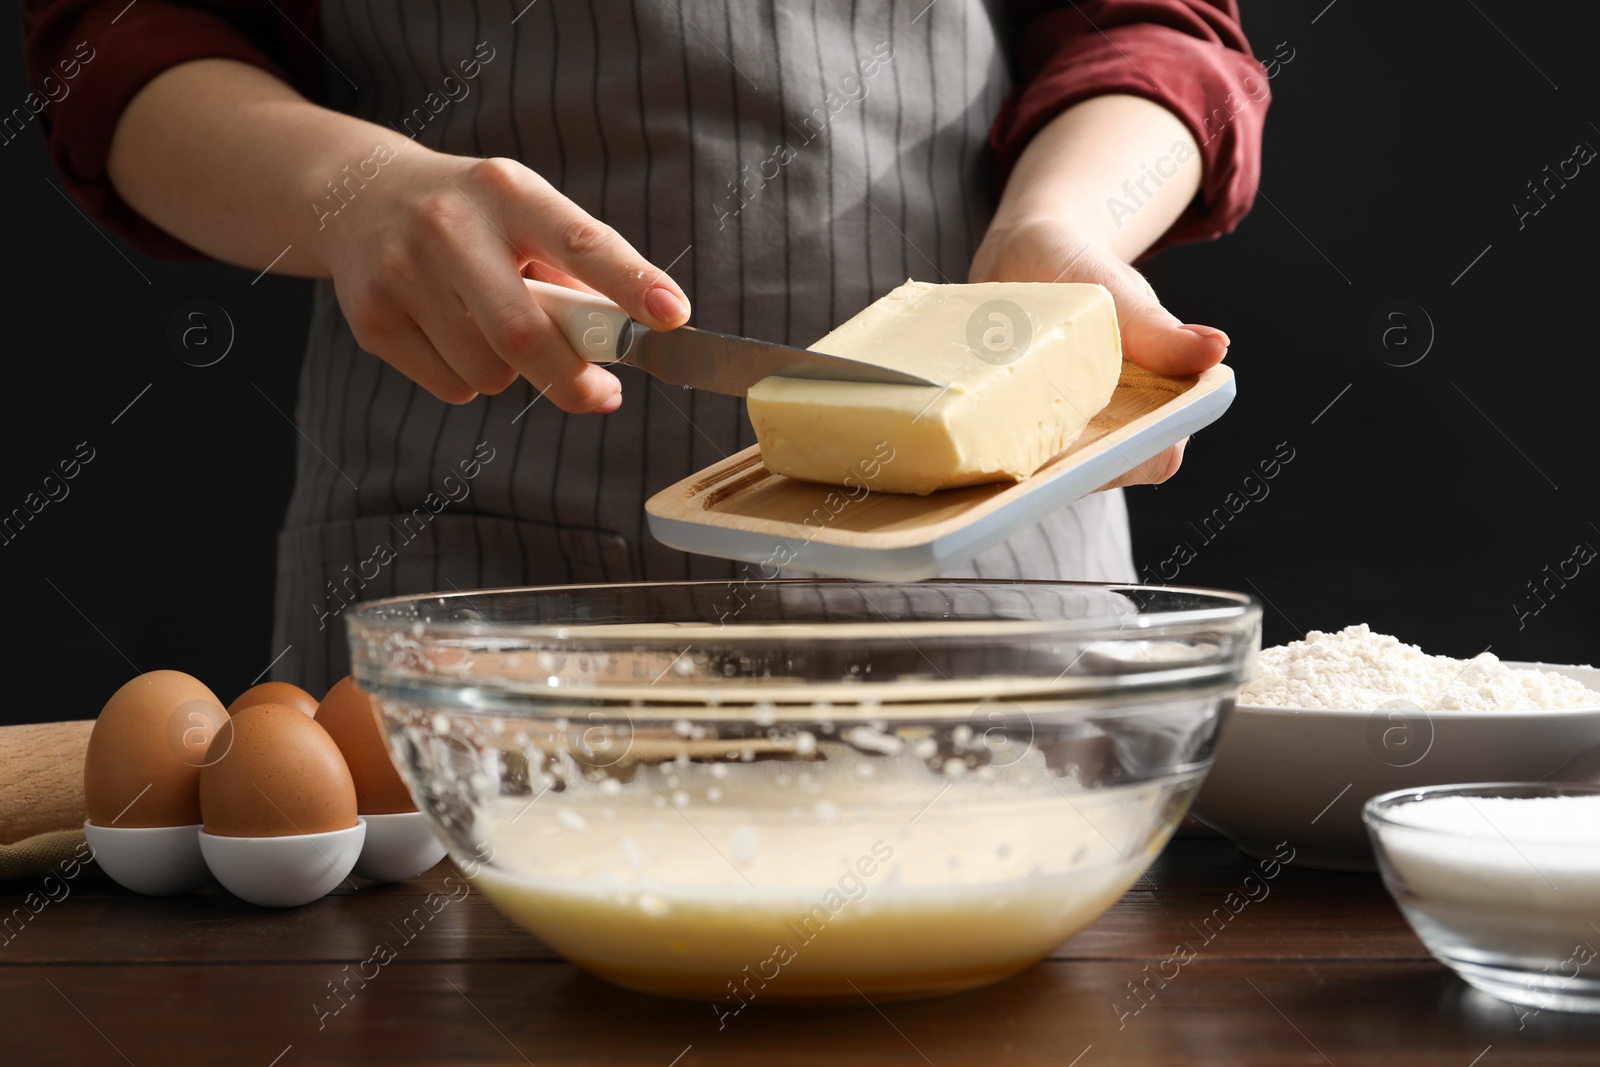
(1050, 226)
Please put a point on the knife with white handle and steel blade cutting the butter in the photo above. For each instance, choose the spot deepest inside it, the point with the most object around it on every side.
(602, 334)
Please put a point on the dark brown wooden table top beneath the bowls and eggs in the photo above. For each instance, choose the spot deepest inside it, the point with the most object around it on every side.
(1319, 970)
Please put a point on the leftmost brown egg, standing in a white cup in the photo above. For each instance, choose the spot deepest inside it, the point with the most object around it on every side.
(145, 756)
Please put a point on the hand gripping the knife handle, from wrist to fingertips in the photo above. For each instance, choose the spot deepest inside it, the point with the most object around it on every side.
(430, 262)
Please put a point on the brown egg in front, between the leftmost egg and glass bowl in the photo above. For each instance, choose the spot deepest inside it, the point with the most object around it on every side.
(276, 773)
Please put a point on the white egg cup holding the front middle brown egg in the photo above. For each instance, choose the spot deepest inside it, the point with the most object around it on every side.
(284, 871)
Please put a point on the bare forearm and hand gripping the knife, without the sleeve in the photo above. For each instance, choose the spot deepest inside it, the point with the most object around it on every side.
(426, 250)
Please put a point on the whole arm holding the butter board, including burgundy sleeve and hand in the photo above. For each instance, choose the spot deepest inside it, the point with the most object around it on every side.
(1135, 124)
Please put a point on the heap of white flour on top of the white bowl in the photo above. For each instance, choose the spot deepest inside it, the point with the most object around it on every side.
(1362, 671)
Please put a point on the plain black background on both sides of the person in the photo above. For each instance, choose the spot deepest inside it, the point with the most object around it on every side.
(1422, 502)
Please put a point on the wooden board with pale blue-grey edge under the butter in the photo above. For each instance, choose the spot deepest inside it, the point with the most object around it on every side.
(738, 510)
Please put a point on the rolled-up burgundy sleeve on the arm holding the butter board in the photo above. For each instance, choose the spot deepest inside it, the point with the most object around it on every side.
(1191, 57)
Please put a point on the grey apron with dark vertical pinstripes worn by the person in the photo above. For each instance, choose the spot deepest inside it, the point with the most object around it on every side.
(793, 162)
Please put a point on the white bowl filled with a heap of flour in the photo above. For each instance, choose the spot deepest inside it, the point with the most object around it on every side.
(1337, 719)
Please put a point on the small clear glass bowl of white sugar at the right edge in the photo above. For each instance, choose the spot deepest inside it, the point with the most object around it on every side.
(1502, 882)
